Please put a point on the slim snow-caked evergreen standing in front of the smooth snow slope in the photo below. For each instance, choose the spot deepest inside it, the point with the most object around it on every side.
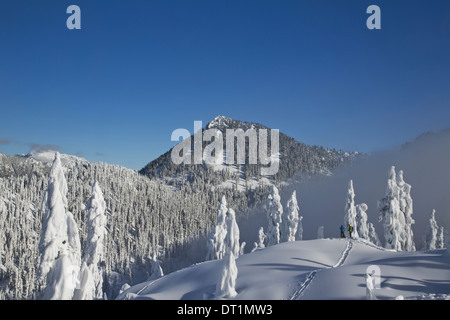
(226, 286)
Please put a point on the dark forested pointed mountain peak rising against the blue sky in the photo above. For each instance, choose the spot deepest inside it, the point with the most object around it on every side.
(296, 158)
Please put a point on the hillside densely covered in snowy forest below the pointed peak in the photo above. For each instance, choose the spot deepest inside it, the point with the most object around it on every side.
(143, 217)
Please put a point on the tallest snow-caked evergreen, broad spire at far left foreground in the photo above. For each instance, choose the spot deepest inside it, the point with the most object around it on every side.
(59, 247)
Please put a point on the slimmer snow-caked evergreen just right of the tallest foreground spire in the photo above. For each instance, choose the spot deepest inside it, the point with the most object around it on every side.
(91, 275)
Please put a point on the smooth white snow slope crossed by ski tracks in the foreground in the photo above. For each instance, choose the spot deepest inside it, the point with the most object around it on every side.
(312, 269)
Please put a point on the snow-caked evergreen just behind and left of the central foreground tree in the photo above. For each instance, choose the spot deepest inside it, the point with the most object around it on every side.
(215, 242)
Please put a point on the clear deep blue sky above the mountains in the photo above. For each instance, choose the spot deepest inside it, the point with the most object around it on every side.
(137, 70)
